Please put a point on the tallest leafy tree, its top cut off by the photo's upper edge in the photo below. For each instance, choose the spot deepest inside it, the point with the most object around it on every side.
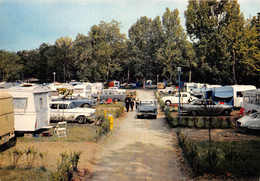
(215, 27)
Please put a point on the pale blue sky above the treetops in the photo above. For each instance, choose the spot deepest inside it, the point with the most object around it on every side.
(26, 24)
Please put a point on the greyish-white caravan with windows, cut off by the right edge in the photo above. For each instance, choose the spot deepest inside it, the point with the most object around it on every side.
(251, 100)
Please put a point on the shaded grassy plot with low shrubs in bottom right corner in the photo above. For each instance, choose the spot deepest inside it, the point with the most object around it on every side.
(240, 159)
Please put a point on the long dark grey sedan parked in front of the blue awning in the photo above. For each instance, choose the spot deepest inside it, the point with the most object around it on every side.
(206, 107)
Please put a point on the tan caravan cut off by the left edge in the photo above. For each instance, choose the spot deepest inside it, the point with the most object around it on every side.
(6, 117)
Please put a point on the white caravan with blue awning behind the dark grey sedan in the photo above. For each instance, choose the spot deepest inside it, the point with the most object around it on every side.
(231, 95)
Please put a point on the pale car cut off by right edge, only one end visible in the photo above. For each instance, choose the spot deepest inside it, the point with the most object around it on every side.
(250, 121)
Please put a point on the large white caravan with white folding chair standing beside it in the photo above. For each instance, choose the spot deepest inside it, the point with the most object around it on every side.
(31, 108)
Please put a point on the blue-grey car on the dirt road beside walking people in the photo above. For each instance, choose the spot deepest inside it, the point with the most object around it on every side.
(146, 108)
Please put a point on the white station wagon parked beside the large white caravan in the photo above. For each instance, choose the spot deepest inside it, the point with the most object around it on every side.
(68, 111)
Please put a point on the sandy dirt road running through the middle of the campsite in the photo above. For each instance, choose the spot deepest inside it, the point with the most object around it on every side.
(141, 149)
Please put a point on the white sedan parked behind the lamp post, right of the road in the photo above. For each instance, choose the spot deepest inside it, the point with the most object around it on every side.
(185, 98)
